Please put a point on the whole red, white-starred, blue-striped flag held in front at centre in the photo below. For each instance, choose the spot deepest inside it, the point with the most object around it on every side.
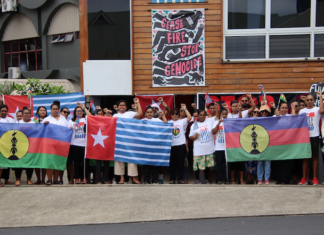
(129, 140)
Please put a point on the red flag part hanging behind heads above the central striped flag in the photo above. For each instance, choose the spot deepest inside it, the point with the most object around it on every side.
(148, 100)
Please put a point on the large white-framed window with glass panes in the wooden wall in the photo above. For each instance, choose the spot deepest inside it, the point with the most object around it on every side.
(273, 30)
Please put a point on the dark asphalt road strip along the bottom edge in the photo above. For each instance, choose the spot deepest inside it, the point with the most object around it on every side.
(295, 225)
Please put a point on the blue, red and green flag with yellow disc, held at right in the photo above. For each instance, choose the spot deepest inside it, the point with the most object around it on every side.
(270, 138)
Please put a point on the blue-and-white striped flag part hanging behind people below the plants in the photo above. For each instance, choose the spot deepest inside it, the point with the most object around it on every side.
(67, 100)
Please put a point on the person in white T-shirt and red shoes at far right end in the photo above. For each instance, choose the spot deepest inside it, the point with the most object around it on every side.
(313, 118)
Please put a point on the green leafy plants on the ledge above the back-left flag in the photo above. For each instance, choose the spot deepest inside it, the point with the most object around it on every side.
(38, 88)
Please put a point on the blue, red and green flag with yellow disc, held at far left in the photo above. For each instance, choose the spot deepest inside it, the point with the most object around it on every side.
(34, 146)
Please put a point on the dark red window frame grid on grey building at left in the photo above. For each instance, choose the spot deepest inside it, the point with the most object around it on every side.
(20, 52)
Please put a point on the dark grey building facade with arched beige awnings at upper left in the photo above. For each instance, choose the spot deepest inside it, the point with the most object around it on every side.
(42, 38)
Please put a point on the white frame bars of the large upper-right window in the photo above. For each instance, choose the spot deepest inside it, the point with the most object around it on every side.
(268, 31)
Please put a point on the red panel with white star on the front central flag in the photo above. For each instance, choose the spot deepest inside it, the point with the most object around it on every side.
(101, 135)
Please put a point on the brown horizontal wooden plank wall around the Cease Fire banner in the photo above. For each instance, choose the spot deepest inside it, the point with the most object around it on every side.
(220, 77)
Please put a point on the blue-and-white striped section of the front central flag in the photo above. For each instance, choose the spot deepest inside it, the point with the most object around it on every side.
(143, 142)
